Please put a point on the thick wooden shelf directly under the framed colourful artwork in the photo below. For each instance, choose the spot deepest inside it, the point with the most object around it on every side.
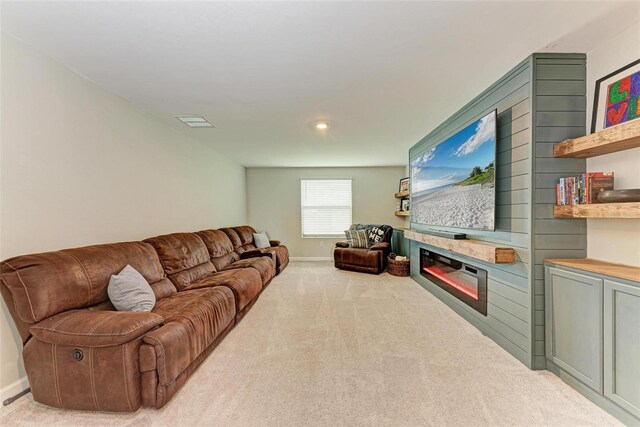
(610, 140)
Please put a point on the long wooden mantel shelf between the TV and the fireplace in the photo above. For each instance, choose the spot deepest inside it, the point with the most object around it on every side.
(477, 249)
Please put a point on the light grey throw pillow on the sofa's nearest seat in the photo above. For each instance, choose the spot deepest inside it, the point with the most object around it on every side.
(129, 291)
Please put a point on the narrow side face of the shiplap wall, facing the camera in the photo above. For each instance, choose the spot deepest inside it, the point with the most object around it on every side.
(559, 107)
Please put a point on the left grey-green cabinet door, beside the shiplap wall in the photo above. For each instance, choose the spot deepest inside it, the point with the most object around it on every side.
(573, 314)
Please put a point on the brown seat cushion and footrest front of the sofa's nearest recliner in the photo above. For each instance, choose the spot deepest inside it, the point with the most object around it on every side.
(193, 320)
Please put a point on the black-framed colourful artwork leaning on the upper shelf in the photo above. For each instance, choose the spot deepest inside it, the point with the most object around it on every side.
(616, 97)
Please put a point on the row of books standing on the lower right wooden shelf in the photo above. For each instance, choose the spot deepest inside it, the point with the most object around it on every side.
(583, 189)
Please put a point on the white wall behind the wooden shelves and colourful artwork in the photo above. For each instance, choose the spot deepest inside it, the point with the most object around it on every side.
(608, 239)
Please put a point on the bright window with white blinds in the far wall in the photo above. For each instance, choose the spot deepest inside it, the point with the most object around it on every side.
(326, 207)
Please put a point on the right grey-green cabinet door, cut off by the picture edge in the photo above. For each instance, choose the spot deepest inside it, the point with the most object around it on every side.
(622, 345)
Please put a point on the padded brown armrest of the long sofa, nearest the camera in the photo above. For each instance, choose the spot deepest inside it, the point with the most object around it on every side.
(95, 328)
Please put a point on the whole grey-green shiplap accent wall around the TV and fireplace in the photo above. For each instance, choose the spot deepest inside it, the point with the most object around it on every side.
(539, 102)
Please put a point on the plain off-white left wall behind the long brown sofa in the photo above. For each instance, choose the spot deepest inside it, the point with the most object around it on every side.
(81, 166)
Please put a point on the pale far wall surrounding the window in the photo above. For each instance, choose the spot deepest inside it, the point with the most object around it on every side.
(274, 202)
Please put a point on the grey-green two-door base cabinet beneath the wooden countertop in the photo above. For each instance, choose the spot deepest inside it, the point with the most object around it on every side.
(592, 333)
